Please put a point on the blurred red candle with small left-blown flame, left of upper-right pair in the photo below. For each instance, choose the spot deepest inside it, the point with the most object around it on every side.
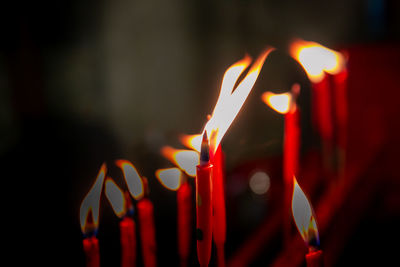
(286, 104)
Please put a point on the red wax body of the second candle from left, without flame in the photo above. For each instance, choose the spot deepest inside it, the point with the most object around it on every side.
(128, 242)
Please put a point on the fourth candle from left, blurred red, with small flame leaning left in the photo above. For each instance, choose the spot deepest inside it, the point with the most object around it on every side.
(173, 179)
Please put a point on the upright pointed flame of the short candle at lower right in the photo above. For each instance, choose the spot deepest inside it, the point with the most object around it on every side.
(303, 215)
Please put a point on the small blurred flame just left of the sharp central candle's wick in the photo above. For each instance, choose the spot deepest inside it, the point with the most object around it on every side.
(186, 160)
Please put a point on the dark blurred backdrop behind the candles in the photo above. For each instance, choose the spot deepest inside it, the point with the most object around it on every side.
(87, 82)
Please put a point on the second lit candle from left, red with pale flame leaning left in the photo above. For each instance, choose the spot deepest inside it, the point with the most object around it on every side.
(123, 208)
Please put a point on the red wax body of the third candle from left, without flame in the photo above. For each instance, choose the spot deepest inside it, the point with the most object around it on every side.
(147, 232)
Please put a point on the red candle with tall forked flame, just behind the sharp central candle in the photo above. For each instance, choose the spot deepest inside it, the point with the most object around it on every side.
(229, 103)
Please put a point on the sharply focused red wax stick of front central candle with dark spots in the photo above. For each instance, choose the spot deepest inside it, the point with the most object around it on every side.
(204, 212)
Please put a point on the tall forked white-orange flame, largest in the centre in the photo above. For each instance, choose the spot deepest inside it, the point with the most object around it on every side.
(231, 99)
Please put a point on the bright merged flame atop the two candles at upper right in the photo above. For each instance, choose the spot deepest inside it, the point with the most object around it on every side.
(316, 59)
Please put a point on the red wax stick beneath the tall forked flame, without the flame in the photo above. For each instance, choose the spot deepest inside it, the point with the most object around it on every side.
(219, 217)
